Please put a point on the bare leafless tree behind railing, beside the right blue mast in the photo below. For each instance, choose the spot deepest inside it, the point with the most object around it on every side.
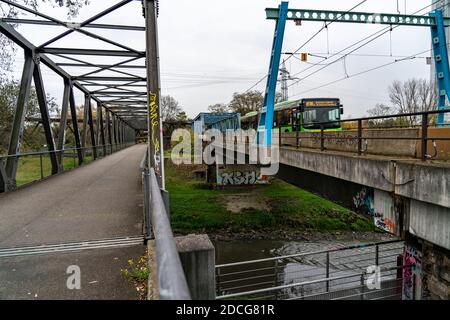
(413, 95)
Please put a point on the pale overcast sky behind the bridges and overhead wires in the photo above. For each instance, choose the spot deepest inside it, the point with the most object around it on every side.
(210, 49)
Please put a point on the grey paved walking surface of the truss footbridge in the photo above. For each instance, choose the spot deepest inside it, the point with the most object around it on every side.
(100, 200)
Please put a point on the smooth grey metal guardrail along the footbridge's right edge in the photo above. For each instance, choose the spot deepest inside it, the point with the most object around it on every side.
(172, 284)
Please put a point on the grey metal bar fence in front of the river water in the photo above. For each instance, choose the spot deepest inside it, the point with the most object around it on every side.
(339, 273)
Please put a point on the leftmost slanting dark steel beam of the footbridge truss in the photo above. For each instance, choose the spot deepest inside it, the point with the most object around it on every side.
(19, 120)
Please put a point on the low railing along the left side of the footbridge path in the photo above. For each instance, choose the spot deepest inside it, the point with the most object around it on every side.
(44, 168)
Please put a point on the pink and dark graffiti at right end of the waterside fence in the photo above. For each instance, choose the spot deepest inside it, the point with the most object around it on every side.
(412, 273)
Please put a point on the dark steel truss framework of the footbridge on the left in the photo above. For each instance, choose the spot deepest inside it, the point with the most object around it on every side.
(108, 91)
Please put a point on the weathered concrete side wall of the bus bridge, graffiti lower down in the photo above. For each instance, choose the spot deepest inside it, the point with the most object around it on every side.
(424, 186)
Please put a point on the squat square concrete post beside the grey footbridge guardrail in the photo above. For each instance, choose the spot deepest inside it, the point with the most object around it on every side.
(197, 255)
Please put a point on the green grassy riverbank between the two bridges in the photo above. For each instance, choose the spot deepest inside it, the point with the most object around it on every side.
(195, 208)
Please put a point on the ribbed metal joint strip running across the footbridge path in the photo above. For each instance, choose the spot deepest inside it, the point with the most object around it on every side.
(71, 246)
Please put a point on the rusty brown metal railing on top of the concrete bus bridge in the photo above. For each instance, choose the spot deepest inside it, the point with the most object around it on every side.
(372, 123)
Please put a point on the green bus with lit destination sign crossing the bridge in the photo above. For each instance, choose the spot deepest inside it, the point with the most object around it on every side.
(309, 114)
